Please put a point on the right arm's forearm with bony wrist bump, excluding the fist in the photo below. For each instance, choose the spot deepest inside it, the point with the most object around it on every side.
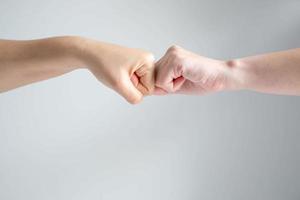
(277, 73)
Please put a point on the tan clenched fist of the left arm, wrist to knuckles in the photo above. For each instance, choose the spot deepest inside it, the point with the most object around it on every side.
(130, 72)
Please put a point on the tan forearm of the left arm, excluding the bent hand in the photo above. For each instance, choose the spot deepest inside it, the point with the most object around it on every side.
(25, 62)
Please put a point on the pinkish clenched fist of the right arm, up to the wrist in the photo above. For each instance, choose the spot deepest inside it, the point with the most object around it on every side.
(181, 71)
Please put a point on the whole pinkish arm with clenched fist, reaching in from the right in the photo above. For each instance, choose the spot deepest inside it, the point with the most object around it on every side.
(182, 72)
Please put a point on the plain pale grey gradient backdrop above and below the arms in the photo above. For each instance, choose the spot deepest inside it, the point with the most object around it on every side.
(72, 138)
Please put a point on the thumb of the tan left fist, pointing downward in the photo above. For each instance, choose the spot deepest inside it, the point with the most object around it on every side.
(129, 91)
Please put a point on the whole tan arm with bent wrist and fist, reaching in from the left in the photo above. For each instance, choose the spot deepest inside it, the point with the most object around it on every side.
(128, 71)
